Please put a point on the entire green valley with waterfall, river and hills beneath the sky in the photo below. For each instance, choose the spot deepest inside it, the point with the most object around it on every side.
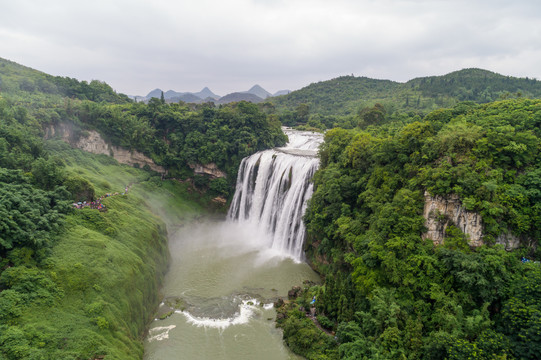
(406, 216)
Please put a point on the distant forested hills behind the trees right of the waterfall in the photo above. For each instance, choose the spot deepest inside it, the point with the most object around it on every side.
(348, 94)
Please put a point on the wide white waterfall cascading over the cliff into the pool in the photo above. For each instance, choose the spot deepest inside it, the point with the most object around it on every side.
(273, 187)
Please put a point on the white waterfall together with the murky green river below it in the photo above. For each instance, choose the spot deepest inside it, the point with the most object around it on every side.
(224, 276)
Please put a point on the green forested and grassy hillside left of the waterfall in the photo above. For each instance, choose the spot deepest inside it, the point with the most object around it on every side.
(81, 283)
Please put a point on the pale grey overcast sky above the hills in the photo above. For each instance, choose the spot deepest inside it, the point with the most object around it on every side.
(230, 45)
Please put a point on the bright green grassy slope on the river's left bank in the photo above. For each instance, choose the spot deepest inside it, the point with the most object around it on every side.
(105, 269)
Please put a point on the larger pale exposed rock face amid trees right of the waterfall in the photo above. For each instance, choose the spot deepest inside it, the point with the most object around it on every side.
(440, 213)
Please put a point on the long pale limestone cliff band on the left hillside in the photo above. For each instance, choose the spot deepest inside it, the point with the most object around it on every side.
(91, 141)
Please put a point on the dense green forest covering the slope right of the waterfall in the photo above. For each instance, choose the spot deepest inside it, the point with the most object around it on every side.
(395, 295)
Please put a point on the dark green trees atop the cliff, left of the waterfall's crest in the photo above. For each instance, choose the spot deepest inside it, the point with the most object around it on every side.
(176, 136)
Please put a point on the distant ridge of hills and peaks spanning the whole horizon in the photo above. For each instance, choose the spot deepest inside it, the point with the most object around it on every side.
(345, 95)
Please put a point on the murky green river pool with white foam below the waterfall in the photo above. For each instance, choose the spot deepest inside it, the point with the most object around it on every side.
(226, 288)
